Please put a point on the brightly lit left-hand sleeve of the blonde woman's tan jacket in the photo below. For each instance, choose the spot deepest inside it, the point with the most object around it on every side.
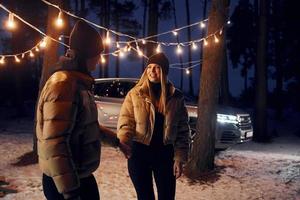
(126, 122)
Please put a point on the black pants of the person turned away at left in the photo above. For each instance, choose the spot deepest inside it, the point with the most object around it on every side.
(88, 189)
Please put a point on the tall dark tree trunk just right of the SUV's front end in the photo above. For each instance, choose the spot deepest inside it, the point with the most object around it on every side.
(260, 114)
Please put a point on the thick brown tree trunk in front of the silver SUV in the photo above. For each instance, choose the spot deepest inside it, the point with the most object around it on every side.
(202, 155)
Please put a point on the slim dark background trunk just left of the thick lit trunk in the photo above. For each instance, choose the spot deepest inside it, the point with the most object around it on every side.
(188, 21)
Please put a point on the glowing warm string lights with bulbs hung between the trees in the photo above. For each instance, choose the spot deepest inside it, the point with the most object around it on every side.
(132, 44)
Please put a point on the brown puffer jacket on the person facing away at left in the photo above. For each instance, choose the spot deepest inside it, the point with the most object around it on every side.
(67, 129)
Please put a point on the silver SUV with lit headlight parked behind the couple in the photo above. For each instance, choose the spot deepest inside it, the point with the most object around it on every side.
(232, 125)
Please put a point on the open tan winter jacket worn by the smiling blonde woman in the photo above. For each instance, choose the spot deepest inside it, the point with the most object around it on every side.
(137, 119)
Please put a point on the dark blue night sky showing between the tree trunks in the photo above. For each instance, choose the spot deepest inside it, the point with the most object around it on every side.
(133, 68)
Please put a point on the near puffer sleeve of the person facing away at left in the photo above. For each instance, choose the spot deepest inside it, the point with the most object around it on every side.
(59, 116)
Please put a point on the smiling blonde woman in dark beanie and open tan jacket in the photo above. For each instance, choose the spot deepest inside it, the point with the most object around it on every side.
(154, 122)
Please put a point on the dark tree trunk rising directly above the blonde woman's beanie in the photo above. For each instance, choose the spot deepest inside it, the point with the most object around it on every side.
(152, 25)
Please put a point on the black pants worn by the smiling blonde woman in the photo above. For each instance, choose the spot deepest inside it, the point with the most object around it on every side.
(146, 160)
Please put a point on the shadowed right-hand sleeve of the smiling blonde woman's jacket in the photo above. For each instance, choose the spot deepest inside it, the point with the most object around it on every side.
(181, 147)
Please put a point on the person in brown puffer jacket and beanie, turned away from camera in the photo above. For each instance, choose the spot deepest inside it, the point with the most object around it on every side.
(67, 129)
